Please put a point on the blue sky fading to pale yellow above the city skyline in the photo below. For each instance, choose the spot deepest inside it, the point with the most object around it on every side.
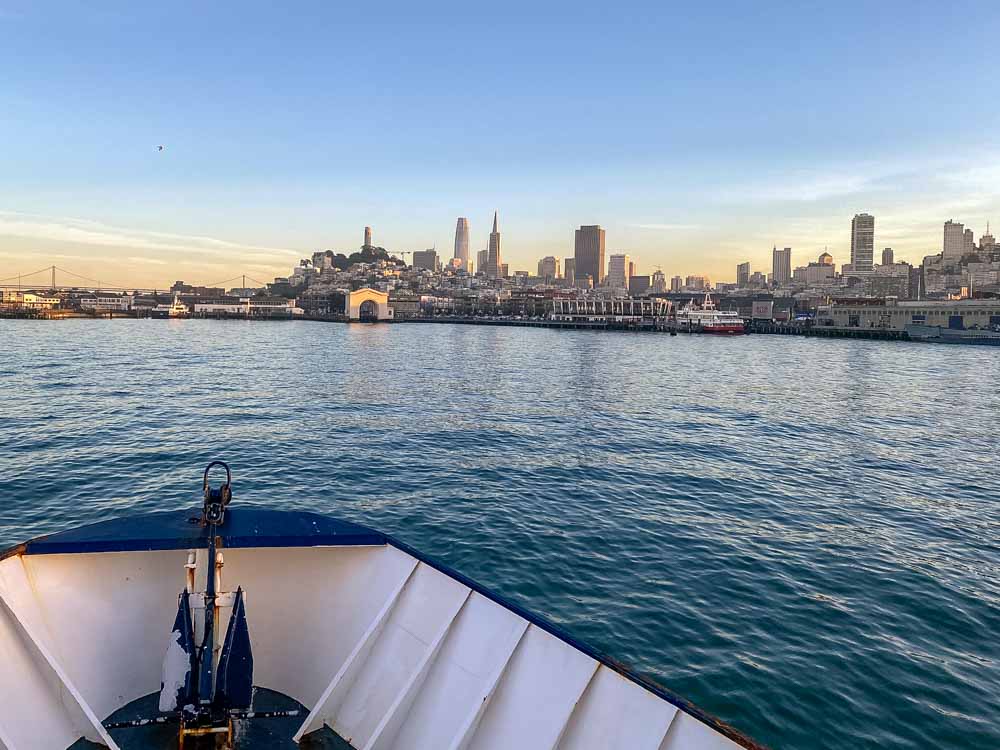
(698, 135)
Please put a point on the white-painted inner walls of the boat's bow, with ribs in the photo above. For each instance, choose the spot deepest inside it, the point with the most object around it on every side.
(392, 653)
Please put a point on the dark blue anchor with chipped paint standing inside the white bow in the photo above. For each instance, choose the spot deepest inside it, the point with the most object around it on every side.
(205, 688)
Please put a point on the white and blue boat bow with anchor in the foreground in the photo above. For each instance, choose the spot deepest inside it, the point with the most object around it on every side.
(292, 629)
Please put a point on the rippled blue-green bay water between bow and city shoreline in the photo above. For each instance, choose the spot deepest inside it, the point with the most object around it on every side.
(801, 536)
